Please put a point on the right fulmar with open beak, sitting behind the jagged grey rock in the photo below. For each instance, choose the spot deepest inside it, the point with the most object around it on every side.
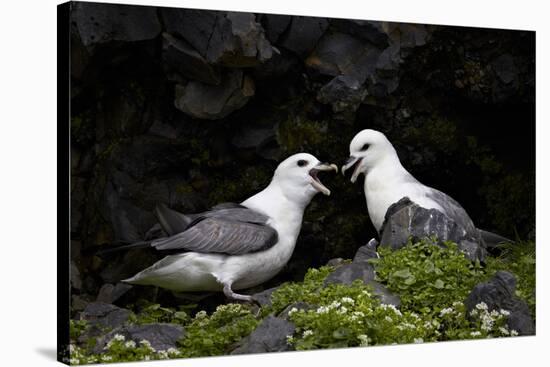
(387, 182)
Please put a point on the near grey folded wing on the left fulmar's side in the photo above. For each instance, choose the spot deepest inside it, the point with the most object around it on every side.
(221, 235)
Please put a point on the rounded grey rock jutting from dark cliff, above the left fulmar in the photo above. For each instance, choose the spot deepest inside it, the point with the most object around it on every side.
(214, 102)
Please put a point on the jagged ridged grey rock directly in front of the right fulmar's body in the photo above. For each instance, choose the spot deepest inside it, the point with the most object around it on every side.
(406, 219)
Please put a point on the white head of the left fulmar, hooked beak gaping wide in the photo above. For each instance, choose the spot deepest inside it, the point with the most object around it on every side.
(298, 174)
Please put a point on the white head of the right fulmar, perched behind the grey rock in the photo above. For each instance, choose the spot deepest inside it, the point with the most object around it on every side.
(368, 149)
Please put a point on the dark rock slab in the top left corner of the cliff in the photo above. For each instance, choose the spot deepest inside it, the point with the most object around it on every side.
(100, 23)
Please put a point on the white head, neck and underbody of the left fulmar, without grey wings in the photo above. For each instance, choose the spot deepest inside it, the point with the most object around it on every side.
(283, 201)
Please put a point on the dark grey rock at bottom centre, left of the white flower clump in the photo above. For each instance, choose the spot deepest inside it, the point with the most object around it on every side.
(269, 336)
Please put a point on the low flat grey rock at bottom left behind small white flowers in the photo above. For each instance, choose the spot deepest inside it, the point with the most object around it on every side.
(161, 336)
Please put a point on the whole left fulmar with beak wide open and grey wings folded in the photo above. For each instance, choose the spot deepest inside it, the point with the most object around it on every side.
(236, 246)
